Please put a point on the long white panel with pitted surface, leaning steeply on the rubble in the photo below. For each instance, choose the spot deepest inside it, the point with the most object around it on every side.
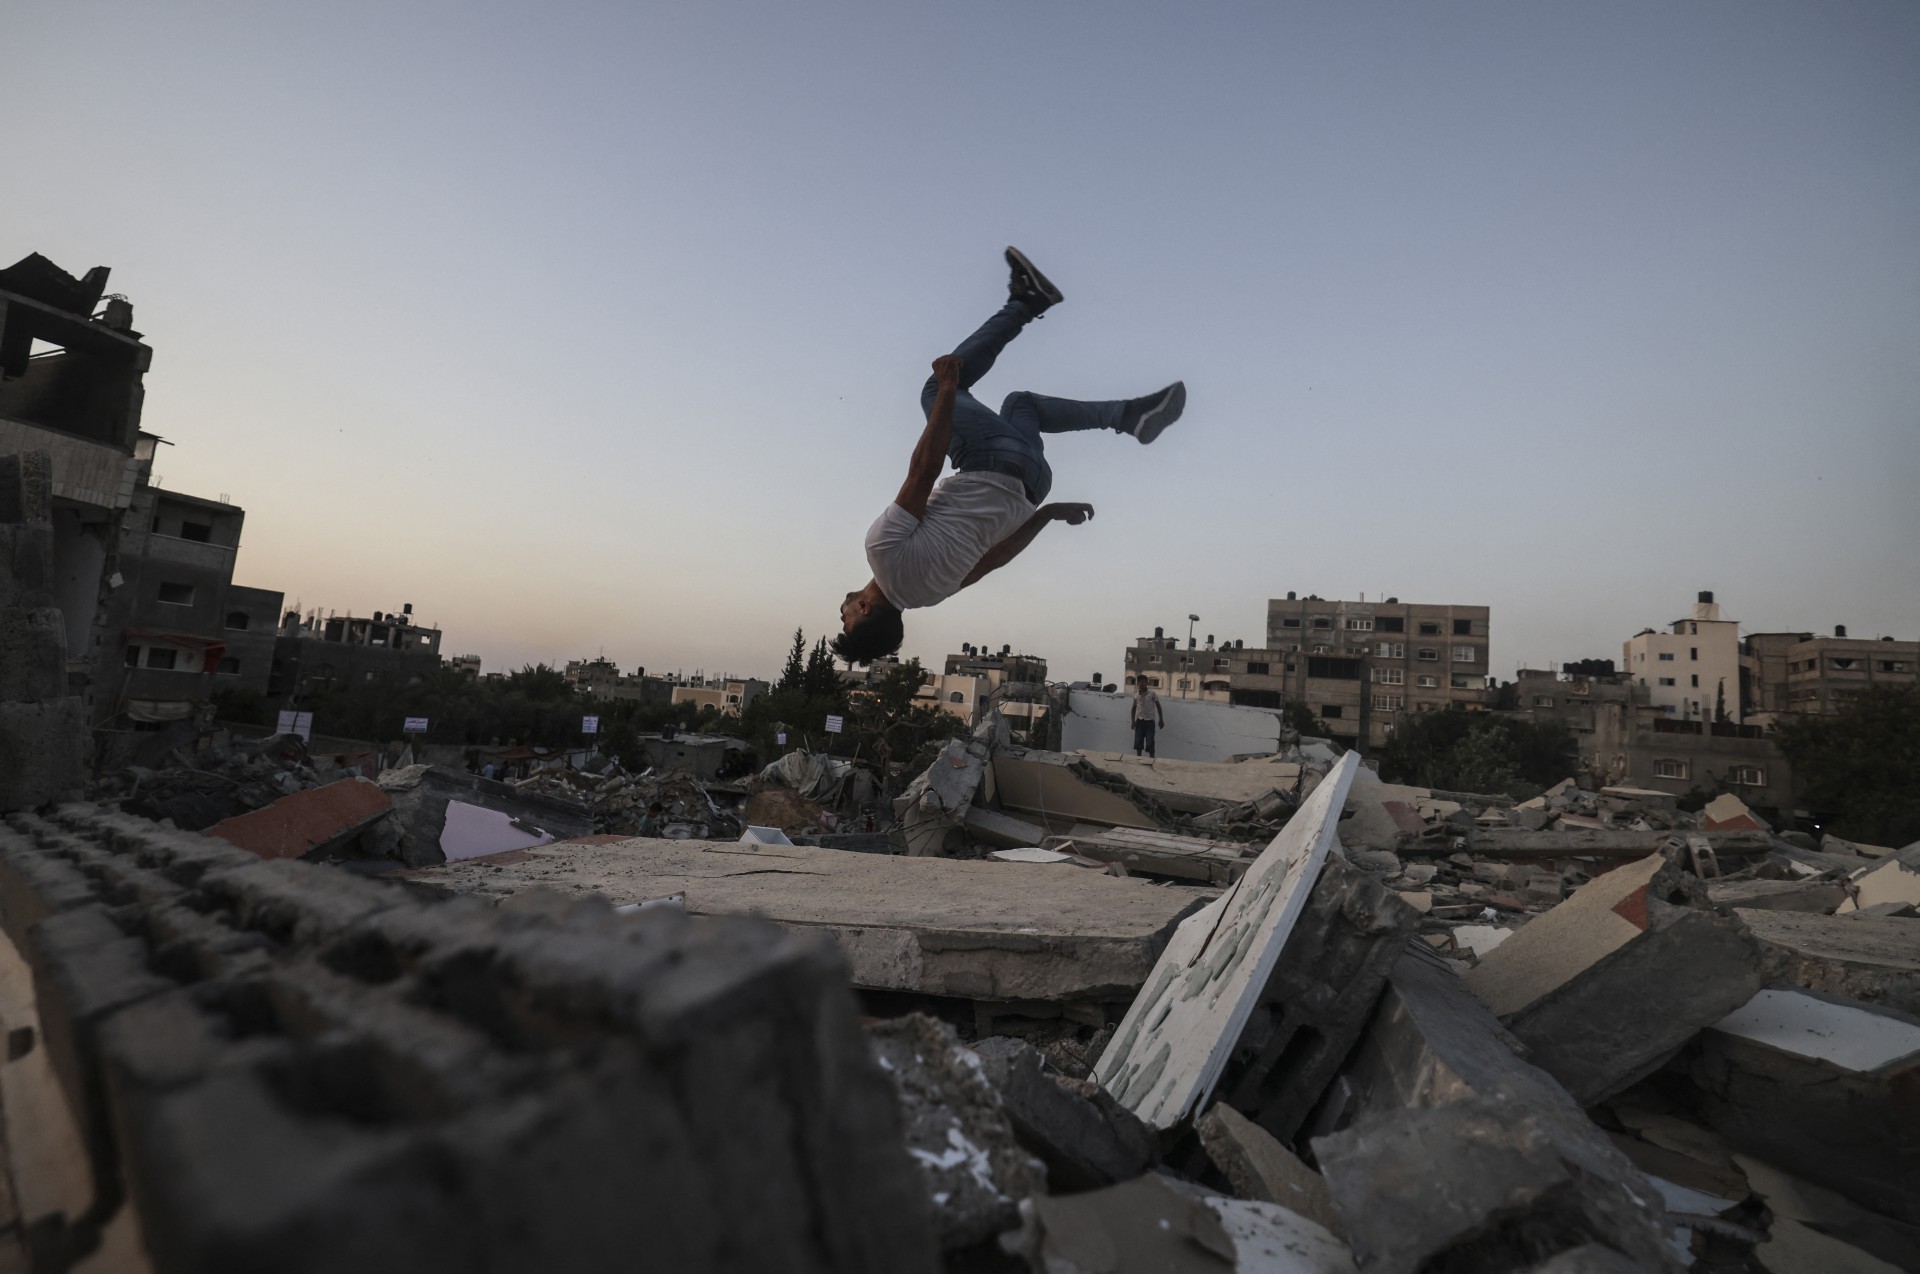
(1186, 1022)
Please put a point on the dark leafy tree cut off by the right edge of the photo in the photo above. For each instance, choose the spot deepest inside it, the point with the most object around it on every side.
(1860, 768)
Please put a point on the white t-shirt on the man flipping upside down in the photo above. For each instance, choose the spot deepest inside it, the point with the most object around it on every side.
(923, 561)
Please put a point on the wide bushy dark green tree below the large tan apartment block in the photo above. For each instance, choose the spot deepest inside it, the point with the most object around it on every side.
(1479, 753)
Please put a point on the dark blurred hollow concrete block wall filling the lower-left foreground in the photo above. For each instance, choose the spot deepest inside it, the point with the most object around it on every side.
(285, 1068)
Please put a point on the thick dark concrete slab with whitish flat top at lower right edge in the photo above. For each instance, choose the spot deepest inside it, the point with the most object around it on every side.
(1821, 1083)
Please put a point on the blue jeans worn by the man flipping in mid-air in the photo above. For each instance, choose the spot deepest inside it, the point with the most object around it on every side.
(1009, 440)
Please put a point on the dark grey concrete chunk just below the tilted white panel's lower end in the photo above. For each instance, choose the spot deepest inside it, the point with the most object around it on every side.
(1080, 1133)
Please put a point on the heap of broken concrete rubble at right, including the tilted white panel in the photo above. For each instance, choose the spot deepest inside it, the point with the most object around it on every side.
(1641, 1075)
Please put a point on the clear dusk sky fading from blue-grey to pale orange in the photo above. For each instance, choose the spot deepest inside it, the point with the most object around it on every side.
(600, 327)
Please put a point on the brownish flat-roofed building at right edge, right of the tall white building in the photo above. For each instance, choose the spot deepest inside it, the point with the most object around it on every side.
(1800, 672)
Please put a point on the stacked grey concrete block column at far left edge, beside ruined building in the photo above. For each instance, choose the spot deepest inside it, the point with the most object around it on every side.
(43, 728)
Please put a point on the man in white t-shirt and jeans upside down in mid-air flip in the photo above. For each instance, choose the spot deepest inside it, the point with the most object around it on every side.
(934, 542)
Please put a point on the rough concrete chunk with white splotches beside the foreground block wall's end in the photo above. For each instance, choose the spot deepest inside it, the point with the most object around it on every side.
(957, 1131)
